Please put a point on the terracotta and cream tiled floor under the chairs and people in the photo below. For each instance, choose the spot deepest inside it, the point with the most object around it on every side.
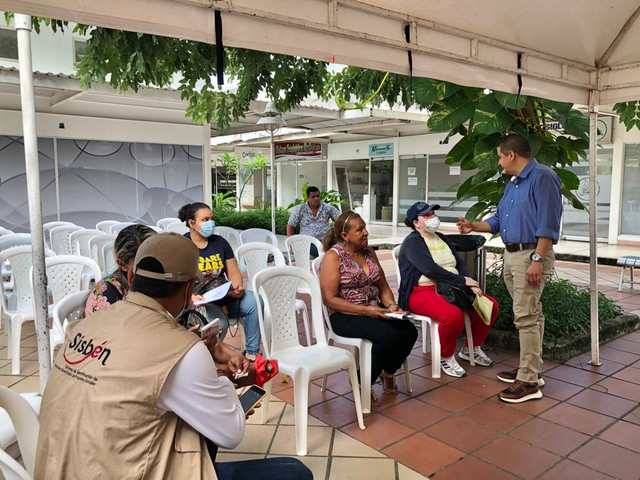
(587, 425)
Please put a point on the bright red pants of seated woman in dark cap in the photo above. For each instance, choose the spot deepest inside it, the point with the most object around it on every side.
(425, 301)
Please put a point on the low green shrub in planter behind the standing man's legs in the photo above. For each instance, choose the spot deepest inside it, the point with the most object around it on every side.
(566, 307)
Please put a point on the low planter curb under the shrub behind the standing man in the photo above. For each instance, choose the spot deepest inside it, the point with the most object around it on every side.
(566, 348)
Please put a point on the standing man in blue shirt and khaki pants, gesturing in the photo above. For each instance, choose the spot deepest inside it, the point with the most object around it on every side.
(528, 219)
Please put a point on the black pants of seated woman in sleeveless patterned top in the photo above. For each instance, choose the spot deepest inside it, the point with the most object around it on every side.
(392, 339)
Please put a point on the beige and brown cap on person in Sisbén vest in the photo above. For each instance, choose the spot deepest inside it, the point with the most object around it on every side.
(177, 254)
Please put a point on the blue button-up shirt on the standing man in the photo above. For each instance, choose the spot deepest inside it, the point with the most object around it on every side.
(531, 206)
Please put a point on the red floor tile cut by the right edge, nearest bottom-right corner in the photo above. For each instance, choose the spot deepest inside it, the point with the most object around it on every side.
(610, 459)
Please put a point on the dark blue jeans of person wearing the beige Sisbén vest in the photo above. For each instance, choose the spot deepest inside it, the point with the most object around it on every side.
(264, 469)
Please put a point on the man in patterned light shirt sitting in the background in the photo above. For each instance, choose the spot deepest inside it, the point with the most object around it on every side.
(313, 217)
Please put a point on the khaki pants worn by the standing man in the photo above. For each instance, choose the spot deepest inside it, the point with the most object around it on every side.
(527, 309)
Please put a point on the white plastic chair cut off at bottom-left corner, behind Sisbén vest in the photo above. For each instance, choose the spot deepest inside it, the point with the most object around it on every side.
(27, 426)
